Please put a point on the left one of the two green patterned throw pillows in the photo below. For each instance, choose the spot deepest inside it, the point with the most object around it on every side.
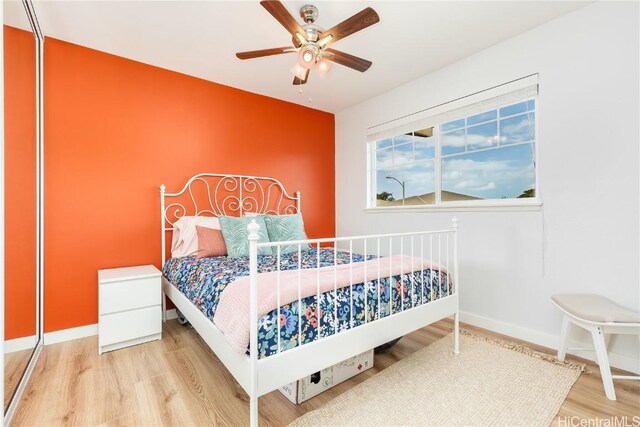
(235, 234)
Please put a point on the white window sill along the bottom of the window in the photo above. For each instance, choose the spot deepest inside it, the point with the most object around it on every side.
(494, 206)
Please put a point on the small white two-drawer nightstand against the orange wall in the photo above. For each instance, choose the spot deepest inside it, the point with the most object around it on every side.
(130, 307)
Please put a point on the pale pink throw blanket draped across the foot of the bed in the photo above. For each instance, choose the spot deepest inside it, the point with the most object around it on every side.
(232, 315)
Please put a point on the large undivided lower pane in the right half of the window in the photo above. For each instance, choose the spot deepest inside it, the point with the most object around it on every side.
(502, 173)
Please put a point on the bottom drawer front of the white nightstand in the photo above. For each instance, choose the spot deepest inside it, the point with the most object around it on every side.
(127, 325)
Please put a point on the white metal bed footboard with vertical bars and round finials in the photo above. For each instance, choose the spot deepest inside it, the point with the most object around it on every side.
(424, 278)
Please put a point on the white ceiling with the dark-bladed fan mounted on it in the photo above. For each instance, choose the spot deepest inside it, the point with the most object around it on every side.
(200, 38)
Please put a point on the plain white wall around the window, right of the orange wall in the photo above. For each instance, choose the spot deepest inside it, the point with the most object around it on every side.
(586, 236)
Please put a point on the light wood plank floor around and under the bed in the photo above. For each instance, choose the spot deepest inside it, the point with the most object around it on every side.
(178, 381)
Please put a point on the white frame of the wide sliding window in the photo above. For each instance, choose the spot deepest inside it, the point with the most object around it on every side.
(434, 116)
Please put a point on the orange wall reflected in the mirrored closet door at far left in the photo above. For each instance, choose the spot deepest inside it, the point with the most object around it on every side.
(20, 183)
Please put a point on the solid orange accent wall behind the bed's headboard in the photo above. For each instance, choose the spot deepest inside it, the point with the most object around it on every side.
(116, 129)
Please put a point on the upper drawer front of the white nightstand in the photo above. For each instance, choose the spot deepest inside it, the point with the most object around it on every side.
(129, 294)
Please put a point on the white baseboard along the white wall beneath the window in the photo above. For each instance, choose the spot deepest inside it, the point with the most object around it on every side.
(617, 360)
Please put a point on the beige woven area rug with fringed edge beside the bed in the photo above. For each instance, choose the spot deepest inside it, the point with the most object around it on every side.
(487, 384)
